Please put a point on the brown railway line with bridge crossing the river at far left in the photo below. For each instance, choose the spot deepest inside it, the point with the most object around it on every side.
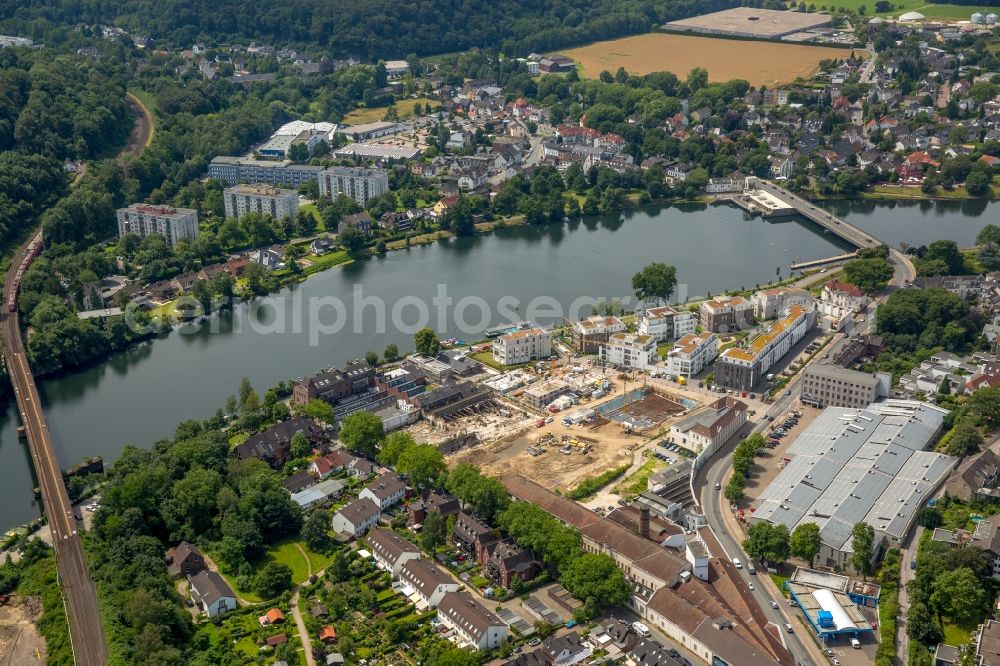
(79, 593)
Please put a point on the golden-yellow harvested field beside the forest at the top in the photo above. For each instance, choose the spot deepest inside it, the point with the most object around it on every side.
(758, 62)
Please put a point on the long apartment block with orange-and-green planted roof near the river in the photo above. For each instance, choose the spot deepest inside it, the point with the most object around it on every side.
(743, 367)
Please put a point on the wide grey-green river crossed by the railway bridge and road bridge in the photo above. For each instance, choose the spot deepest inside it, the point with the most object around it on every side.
(140, 395)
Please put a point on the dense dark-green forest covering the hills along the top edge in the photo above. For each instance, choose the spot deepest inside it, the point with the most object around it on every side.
(368, 29)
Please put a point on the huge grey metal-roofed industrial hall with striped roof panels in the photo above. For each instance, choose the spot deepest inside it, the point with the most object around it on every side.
(851, 465)
